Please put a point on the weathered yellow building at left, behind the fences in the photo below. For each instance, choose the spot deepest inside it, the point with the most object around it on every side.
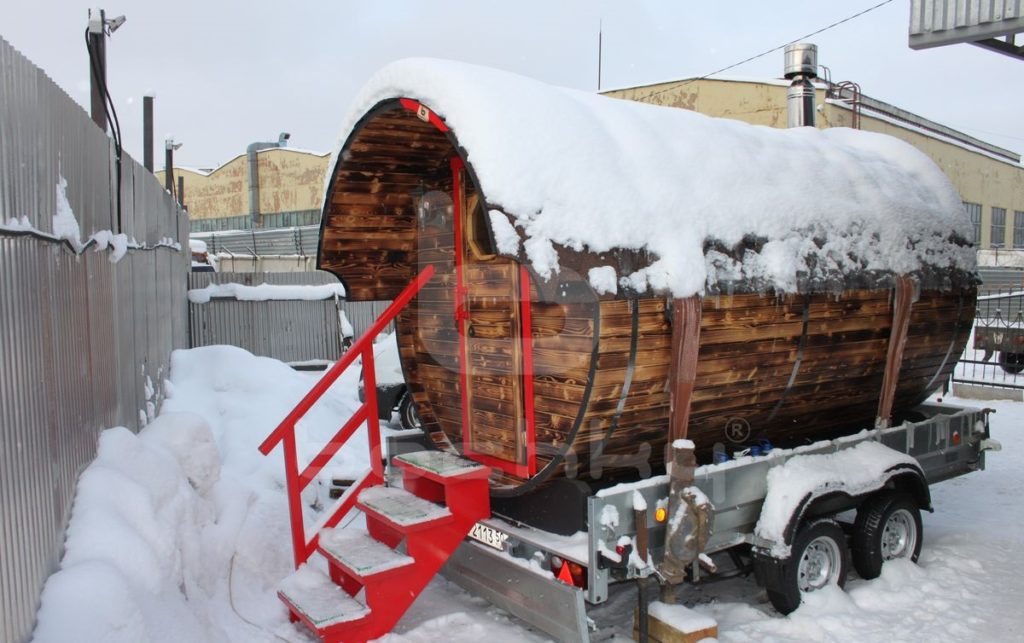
(290, 187)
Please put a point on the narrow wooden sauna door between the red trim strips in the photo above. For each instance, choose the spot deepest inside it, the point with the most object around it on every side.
(488, 312)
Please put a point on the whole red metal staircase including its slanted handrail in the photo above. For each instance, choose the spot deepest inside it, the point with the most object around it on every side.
(374, 576)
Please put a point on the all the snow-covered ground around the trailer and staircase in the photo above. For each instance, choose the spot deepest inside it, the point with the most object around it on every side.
(181, 534)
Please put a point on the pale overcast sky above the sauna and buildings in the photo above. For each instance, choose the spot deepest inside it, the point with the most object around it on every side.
(227, 73)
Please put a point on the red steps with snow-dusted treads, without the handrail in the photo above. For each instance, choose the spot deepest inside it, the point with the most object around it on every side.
(371, 584)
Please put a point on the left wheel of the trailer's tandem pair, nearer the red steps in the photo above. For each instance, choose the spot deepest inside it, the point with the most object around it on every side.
(820, 556)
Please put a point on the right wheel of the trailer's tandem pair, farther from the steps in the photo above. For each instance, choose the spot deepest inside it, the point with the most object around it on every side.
(888, 527)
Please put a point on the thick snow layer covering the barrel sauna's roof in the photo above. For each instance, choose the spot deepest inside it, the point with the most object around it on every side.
(709, 200)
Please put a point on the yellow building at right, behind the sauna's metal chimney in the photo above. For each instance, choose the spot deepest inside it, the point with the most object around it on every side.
(991, 180)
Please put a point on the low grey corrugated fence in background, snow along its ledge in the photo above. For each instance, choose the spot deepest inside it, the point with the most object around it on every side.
(288, 329)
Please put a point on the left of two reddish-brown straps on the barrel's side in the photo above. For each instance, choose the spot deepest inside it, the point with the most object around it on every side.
(686, 342)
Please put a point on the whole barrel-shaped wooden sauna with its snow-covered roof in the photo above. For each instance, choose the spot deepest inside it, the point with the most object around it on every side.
(613, 276)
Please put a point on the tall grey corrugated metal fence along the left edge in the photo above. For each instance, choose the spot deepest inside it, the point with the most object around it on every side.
(80, 335)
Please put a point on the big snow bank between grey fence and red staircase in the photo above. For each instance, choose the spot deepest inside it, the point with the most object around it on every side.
(181, 534)
